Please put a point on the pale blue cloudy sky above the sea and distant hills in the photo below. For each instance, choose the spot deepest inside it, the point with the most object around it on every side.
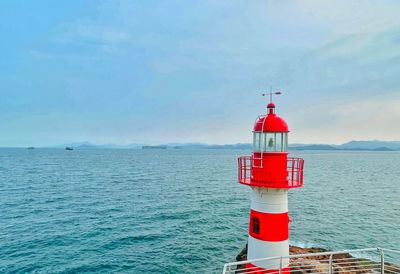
(193, 71)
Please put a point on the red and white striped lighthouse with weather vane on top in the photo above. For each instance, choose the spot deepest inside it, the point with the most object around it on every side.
(270, 173)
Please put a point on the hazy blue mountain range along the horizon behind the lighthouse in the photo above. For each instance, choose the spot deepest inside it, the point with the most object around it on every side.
(374, 145)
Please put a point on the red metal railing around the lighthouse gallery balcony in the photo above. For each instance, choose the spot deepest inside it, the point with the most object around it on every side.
(294, 172)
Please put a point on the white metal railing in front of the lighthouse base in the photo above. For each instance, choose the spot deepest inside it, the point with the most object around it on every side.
(368, 260)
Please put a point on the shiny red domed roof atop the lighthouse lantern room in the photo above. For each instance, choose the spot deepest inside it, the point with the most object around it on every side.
(271, 122)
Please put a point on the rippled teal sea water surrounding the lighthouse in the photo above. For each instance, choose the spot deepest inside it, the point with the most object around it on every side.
(177, 211)
